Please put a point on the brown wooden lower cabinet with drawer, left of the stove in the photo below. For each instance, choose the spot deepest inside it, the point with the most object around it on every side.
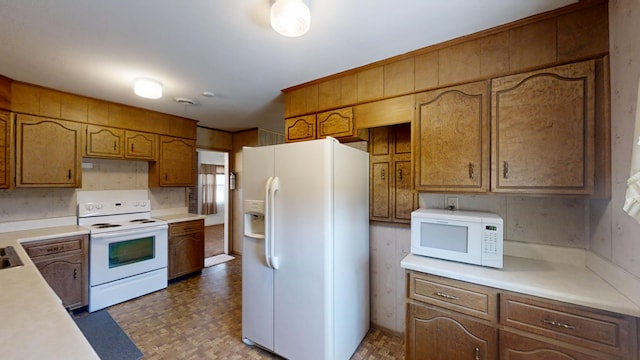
(63, 263)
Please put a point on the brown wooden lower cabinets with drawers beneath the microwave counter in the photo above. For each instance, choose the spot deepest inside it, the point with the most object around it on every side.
(451, 319)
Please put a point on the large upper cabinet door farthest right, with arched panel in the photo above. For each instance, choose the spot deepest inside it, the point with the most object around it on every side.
(542, 131)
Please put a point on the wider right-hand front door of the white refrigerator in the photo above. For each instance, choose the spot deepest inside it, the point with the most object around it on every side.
(303, 245)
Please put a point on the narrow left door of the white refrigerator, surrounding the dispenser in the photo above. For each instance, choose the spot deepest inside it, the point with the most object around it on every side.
(257, 277)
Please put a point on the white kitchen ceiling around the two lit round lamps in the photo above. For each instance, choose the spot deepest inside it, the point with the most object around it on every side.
(97, 47)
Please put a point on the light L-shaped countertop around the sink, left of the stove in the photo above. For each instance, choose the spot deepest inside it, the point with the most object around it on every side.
(33, 322)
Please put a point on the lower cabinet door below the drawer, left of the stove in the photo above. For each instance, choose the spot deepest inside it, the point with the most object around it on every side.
(67, 277)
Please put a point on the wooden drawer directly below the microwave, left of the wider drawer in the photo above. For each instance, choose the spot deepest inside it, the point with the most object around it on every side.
(455, 295)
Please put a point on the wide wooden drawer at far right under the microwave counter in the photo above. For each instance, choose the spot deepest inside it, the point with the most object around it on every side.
(592, 329)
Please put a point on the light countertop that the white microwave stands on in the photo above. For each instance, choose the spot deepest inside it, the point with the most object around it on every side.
(569, 283)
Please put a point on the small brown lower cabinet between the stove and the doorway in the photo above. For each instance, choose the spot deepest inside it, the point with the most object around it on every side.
(186, 248)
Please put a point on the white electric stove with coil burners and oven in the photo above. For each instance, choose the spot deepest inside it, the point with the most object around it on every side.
(128, 250)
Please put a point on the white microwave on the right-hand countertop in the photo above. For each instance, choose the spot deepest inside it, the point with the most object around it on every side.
(472, 237)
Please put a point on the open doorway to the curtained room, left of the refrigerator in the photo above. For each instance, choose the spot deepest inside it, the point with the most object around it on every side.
(212, 201)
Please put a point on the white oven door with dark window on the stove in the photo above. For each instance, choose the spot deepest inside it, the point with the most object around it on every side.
(120, 254)
